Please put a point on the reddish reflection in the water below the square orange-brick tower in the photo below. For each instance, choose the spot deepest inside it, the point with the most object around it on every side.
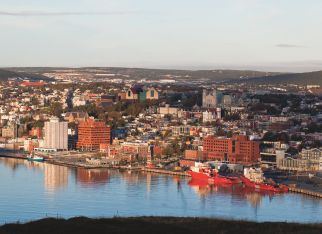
(92, 176)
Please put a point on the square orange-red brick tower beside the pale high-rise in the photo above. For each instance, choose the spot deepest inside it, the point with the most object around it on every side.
(91, 134)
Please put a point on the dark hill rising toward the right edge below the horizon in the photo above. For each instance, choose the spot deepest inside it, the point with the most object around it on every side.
(308, 78)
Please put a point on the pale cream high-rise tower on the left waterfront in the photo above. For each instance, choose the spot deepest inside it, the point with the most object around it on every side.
(56, 134)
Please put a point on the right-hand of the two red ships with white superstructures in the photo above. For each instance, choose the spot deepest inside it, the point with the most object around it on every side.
(253, 178)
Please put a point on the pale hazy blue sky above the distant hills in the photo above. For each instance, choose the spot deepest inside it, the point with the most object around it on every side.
(268, 35)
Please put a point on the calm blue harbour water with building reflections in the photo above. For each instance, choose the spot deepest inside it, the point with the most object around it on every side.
(35, 190)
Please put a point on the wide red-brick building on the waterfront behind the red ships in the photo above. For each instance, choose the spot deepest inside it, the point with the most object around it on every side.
(238, 149)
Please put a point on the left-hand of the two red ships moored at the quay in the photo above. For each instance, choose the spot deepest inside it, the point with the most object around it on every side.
(206, 173)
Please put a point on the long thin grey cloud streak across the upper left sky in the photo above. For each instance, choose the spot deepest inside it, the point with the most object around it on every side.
(64, 13)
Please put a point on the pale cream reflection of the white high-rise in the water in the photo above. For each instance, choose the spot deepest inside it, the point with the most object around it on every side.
(55, 176)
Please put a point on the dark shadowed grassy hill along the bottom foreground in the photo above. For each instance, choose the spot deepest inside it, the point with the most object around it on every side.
(156, 225)
